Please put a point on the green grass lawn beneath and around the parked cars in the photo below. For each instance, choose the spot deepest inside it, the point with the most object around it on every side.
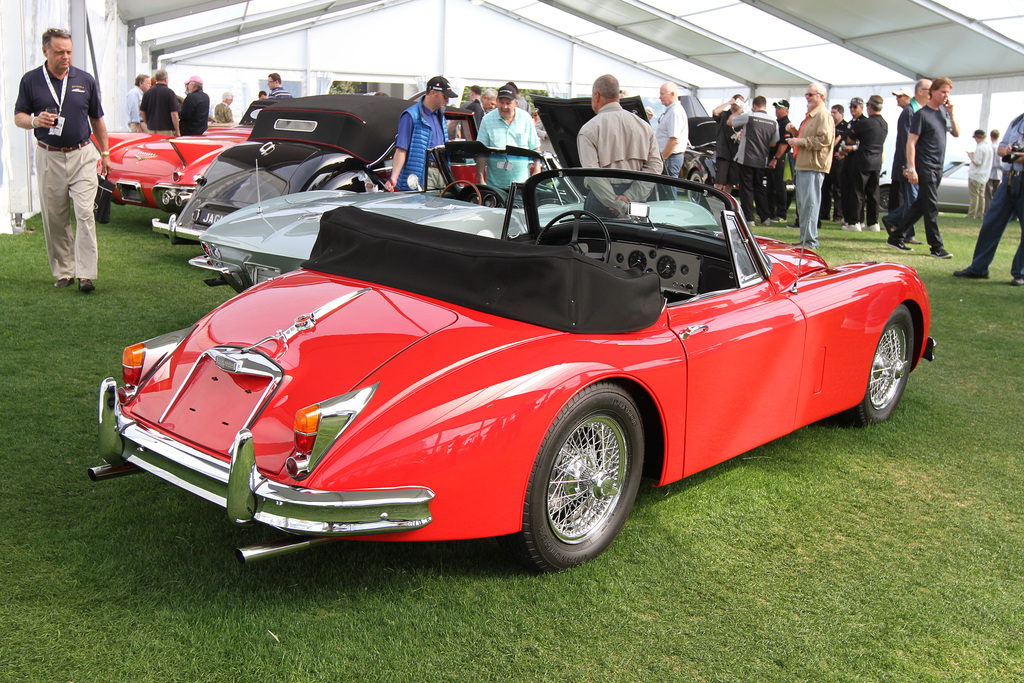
(888, 553)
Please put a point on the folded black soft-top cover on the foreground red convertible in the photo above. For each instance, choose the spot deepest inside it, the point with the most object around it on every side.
(552, 287)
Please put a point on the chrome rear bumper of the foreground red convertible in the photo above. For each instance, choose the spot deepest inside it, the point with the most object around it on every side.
(244, 492)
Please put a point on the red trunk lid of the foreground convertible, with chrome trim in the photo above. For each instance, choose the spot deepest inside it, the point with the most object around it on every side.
(326, 335)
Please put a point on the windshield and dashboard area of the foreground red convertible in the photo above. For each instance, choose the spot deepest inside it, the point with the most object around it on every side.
(690, 235)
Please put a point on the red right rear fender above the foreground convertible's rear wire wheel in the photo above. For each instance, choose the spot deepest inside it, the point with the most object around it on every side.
(472, 433)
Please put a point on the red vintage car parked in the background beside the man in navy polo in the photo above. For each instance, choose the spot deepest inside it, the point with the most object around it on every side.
(160, 173)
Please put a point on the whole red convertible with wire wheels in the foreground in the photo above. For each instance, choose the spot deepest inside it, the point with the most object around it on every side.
(416, 382)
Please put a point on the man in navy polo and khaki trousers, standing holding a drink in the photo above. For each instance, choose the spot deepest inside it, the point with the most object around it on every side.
(61, 105)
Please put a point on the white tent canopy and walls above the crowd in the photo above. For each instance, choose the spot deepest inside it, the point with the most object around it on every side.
(713, 49)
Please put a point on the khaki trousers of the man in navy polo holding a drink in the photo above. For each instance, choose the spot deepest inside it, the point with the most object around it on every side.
(66, 180)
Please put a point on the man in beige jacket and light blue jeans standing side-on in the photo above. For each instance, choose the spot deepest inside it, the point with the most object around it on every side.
(813, 146)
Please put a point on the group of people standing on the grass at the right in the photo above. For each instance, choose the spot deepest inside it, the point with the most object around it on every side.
(837, 164)
